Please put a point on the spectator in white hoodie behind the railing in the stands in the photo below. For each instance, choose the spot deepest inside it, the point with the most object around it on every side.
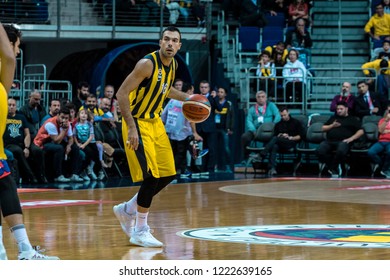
(294, 74)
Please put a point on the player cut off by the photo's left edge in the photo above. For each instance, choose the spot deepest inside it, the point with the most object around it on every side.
(9, 200)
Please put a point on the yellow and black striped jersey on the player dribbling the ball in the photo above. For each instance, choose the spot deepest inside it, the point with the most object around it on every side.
(147, 100)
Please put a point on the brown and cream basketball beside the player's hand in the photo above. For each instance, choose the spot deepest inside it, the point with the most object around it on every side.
(196, 108)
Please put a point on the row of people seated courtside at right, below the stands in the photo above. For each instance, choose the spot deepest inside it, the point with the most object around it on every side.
(345, 128)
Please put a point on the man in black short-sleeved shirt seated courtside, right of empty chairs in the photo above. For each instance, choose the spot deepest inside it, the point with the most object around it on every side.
(341, 130)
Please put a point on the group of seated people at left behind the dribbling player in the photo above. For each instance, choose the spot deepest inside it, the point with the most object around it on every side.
(69, 142)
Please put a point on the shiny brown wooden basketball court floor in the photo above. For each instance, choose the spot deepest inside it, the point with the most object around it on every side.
(80, 224)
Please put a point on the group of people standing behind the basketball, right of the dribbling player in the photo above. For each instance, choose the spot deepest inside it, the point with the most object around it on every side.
(201, 148)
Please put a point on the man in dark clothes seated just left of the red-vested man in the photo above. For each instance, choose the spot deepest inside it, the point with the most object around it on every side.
(34, 112)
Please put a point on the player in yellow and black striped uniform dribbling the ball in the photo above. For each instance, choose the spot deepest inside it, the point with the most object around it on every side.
(148, 150)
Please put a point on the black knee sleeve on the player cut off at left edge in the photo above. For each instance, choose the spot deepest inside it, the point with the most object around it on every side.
(9, 199)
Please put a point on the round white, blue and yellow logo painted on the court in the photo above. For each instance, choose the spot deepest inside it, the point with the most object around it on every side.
(350, 236)
